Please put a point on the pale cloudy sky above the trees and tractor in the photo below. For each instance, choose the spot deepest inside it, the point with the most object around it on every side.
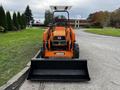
(80, 8)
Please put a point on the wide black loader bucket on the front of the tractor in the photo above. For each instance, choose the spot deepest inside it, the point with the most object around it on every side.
(59, 70)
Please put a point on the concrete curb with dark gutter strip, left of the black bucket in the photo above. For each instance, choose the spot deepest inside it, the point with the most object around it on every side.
(15, 82)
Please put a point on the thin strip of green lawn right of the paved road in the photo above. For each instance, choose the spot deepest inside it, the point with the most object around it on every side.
(105, 31)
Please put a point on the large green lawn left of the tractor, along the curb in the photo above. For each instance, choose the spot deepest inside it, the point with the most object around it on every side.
(16, 50)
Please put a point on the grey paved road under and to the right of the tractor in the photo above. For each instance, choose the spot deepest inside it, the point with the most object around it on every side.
(103, 55)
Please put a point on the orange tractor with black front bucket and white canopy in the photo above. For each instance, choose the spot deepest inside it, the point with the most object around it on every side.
(58, 58)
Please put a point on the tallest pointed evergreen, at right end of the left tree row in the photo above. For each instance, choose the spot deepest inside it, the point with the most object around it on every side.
(28, 14)
